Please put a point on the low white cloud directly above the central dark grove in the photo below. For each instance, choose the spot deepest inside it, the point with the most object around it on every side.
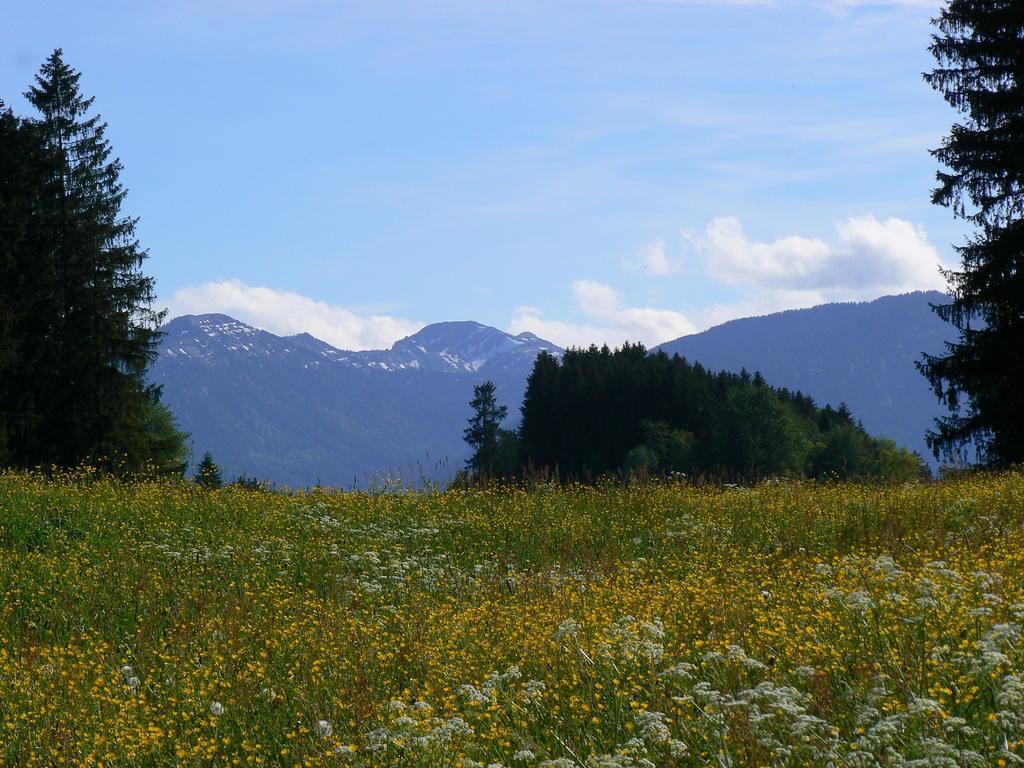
(609, 321)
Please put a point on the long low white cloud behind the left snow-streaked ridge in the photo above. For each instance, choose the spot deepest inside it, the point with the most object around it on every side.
(285, 313)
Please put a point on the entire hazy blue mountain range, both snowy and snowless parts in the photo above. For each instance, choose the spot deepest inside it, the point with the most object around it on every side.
(297, 411)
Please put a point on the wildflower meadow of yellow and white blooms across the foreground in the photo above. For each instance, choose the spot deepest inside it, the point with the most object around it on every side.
(793, 624)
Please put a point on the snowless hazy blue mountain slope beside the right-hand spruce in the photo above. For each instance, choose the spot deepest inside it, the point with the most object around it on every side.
(859, 354)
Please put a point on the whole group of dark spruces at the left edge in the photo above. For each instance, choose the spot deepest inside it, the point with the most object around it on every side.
(77, 326)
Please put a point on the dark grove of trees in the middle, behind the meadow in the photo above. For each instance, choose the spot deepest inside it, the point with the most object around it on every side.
(599, 412)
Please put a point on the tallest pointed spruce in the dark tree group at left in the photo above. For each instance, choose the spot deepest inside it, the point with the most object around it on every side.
(102, 317)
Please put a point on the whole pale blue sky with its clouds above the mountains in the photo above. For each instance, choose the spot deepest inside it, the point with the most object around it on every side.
(589, 170)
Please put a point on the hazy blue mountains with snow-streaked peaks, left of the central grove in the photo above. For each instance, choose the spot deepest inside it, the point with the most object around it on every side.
(296, 411)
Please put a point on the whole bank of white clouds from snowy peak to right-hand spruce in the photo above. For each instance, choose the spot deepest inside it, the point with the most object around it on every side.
(868, 259)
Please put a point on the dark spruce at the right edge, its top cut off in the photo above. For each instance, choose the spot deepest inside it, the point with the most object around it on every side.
(979, 51)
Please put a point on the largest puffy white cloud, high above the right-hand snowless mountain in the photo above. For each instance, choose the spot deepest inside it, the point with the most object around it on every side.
(869, 260)
